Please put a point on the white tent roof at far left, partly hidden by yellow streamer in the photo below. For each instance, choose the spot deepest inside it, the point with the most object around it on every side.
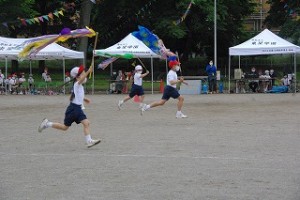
(50, 52)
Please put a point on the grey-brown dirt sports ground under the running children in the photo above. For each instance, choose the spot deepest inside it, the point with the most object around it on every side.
(231, 146)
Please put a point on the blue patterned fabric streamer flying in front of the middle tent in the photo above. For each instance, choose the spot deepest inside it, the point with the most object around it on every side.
(153, 42)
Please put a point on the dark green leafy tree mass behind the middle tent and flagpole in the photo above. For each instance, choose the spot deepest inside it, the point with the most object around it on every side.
(115, 19)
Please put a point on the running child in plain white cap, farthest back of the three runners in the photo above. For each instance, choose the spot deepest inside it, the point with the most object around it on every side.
(136, 88)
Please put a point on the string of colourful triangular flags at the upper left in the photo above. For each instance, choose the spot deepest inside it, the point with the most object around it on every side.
(31, 21)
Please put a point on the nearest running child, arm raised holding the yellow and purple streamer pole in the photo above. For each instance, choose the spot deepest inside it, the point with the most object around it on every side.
(74, 111)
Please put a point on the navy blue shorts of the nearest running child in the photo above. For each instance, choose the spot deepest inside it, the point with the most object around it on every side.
(74, 113)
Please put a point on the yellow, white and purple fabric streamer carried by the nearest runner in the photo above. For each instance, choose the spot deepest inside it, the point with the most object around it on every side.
(32, 47)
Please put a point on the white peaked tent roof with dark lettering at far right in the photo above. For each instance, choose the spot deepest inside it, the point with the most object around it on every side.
(265, 43)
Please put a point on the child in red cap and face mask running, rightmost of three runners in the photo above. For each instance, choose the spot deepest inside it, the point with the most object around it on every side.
(170, 91)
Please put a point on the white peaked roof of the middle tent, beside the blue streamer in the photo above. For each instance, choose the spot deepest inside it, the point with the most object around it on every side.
(129, 45)
